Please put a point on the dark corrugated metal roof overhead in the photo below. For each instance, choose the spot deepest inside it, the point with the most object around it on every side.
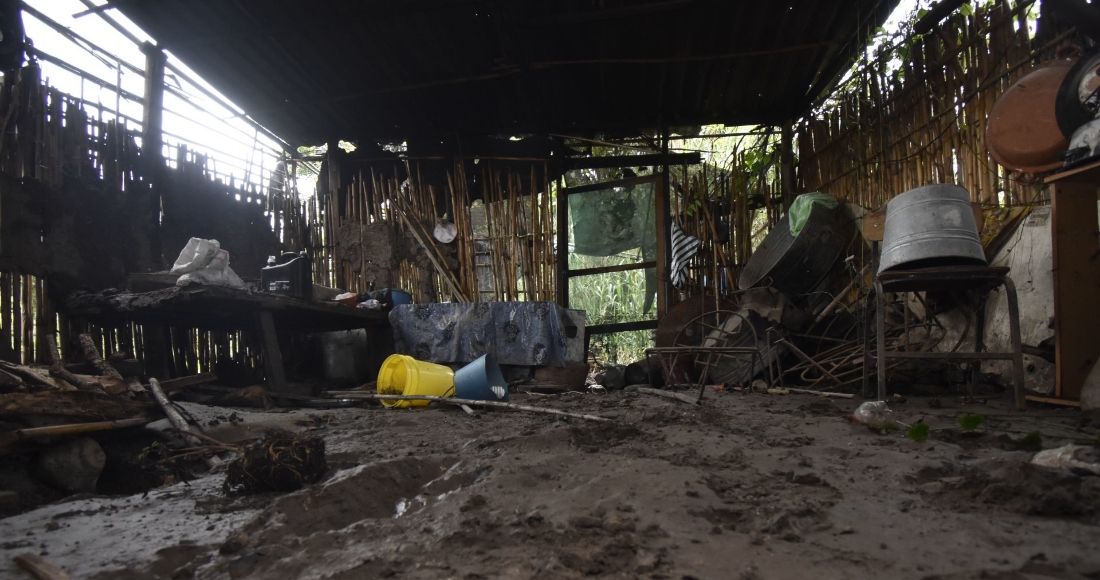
(397, 70)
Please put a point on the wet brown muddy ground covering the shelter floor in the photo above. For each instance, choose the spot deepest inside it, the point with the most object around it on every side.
(746, 486)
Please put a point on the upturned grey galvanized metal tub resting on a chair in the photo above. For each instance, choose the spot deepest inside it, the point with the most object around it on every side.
(931, 227)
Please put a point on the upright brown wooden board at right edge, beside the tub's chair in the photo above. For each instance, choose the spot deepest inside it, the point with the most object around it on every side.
(1076, 258)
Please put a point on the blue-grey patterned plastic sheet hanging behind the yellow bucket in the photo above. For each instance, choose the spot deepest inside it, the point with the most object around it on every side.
(516, 333)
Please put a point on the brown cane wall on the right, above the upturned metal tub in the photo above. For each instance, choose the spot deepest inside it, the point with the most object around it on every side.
(890, 130)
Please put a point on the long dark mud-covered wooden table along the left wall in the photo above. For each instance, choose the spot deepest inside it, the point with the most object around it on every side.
(222, 309)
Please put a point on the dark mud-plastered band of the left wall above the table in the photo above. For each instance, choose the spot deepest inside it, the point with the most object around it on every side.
(86, 237)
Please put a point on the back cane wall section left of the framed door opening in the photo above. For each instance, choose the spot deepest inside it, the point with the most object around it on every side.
(504, 222)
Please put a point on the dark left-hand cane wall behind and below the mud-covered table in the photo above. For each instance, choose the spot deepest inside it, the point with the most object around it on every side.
(79, 209)
